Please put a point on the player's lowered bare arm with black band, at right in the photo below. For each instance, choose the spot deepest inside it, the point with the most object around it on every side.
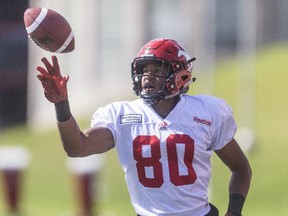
(232, 155)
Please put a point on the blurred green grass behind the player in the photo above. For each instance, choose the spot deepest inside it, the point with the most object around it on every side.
(48, 186)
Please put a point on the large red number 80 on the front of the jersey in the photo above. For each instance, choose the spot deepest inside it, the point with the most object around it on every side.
(153, 160)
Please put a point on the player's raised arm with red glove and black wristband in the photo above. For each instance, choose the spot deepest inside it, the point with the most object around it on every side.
(76, 143)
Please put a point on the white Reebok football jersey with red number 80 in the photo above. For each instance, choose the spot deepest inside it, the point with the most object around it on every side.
(167, 161)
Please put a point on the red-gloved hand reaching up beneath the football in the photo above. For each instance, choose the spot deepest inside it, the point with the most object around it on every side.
(54, 84)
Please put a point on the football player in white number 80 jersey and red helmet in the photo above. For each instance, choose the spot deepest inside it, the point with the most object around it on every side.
(164, 139)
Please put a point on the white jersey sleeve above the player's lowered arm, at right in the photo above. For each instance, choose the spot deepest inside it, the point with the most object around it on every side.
(226, 126)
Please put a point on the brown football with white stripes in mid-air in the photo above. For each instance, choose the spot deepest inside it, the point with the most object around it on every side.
(49, 30)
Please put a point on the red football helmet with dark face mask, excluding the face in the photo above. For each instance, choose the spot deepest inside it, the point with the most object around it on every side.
(171, 53)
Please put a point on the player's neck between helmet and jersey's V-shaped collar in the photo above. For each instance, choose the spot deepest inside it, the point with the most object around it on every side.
(166, 106)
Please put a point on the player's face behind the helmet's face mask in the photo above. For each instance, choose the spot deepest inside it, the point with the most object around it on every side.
(154, 76)
